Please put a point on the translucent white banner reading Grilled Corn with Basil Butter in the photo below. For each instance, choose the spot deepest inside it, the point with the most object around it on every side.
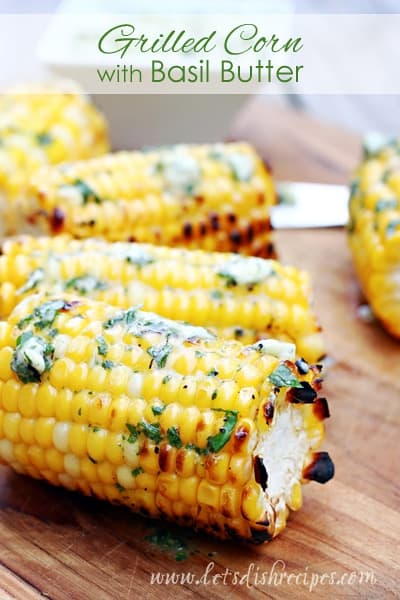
(206, 54)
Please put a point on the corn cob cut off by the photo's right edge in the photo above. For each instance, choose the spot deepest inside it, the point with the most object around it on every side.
(374, 232)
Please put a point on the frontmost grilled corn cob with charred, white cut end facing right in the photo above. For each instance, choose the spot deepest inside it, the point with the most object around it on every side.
(159, 416)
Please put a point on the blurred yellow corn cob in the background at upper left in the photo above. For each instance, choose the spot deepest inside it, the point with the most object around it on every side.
(42, 125)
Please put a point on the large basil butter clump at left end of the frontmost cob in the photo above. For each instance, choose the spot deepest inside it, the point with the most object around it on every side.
(32, 357)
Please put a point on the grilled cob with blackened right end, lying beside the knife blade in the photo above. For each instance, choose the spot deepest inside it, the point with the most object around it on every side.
(211, 197)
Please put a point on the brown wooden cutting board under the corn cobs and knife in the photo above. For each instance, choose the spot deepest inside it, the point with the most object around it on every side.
(62, 546)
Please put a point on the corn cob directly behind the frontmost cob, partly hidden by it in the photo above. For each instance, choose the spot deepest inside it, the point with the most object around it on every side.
(246, 298)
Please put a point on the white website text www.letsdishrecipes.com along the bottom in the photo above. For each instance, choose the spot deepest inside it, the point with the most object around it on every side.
(255, 576)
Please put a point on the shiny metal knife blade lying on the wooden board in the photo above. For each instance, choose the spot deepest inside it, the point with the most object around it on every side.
(310, 205)
